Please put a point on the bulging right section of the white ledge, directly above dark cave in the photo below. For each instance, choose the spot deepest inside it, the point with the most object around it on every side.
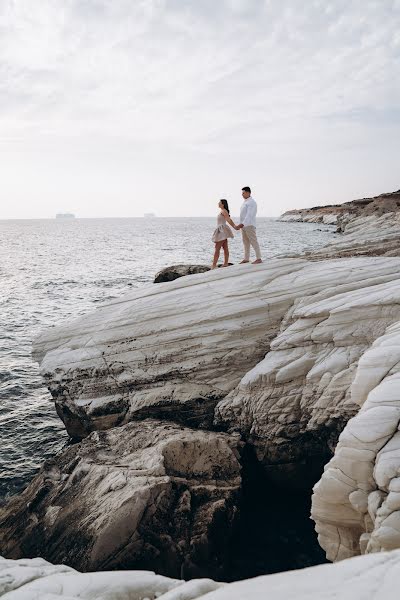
(288, 403)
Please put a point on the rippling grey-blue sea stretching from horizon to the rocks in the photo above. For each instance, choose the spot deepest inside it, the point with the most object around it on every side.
(52, 270)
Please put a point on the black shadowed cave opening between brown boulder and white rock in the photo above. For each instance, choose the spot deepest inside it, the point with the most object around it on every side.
(274, 531)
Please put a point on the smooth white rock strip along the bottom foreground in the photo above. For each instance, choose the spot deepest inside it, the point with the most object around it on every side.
(364, 578)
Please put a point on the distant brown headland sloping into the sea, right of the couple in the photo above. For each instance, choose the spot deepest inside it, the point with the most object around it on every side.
(340, 214)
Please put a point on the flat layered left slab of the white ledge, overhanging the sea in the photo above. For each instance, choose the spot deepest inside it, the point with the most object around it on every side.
(168, 351)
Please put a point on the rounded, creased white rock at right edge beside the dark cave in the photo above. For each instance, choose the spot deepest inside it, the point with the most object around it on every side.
(356, 504)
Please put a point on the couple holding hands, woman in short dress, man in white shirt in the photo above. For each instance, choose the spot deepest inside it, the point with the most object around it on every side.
(247, 225)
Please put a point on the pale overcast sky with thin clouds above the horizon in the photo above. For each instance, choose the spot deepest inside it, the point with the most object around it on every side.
(115, 108)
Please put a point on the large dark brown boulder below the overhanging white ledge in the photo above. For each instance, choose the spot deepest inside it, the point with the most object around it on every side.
(146, 495)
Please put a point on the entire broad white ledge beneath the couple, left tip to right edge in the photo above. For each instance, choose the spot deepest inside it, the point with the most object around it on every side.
(173, 350)
